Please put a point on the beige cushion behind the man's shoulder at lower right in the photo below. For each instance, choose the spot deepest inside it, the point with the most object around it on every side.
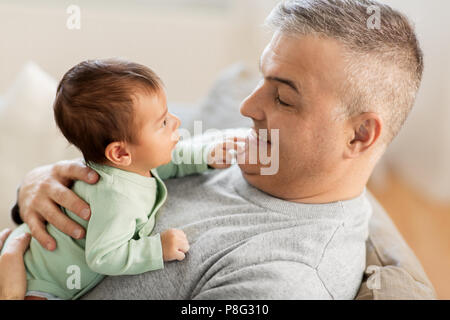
(392, 270)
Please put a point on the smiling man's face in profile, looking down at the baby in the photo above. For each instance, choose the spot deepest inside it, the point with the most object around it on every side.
(299, 96)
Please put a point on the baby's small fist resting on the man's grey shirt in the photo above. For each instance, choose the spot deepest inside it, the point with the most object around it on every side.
(174, 244)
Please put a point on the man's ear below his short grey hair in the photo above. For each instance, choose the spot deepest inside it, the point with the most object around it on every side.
(366, 130)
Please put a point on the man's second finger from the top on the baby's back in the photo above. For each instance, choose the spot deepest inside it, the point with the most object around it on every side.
(69, 200)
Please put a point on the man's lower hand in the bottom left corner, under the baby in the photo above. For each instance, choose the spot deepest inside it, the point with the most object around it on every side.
(13, 279)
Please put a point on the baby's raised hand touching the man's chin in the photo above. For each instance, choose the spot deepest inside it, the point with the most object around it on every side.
(221, 155)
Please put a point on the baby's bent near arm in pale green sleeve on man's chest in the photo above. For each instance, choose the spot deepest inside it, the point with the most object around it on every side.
(111, 245)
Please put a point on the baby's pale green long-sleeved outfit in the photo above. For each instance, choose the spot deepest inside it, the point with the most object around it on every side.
(118, 235)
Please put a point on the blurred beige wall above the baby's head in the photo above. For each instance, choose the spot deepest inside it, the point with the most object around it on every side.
(186, 46)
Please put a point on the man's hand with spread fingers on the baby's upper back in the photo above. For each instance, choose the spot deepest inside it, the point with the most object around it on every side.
(43, 189)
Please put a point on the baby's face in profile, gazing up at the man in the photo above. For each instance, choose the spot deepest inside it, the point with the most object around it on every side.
(157, 135)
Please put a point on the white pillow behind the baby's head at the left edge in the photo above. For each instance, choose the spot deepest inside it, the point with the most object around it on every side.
(28, 133)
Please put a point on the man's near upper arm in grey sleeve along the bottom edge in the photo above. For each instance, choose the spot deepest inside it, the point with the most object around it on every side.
(285, 280)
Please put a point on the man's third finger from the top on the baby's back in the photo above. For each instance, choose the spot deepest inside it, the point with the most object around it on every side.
(57, 218)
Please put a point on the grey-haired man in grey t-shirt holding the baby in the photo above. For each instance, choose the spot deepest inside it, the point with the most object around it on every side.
(338, 91)
